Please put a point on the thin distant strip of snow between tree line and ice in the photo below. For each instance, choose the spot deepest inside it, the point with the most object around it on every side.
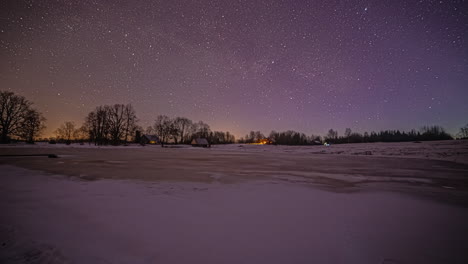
(449, 150)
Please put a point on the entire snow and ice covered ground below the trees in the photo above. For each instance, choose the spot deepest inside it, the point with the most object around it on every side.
(402, 203)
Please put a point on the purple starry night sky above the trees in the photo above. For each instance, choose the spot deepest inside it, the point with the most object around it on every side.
(242, 65)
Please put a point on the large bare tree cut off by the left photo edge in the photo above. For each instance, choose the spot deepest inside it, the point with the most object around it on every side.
(14, 109)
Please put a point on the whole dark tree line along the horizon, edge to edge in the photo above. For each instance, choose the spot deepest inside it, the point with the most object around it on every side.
(118, 124)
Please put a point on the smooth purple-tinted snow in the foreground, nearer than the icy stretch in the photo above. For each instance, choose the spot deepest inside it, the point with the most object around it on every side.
(256, 222)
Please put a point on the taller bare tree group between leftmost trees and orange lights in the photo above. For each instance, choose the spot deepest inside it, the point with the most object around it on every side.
(117, 124)
